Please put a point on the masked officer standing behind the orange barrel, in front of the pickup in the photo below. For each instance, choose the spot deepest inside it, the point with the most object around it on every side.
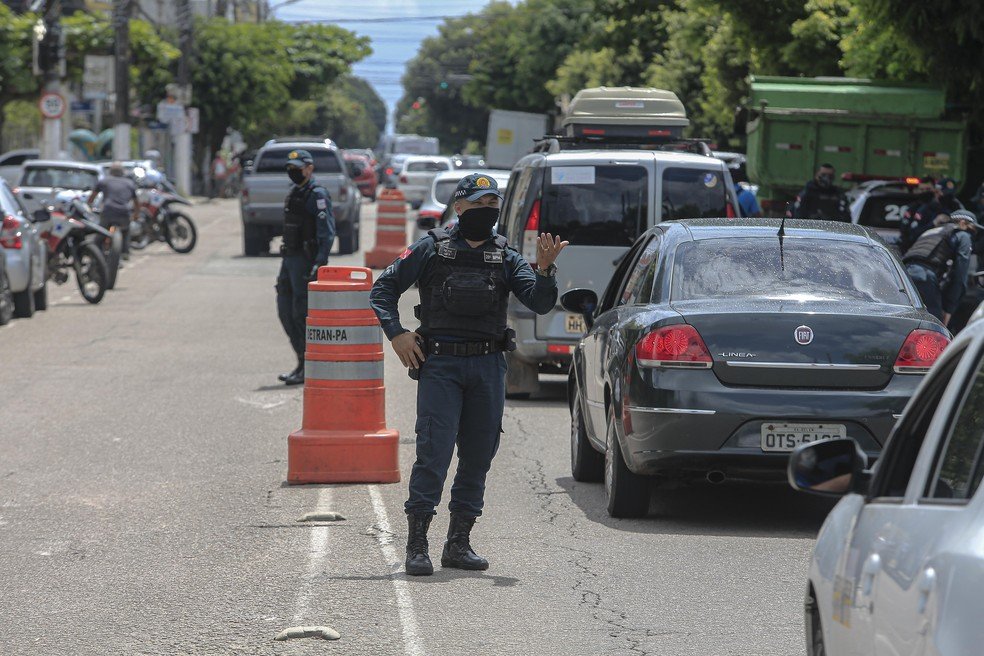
(309, 230)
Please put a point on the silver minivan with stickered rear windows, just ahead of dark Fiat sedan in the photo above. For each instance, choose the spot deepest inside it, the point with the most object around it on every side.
(600, 201)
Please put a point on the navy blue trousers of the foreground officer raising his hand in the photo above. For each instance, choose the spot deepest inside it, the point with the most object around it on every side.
(459, 402)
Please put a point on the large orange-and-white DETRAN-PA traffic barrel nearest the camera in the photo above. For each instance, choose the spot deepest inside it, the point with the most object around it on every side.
(343, 438)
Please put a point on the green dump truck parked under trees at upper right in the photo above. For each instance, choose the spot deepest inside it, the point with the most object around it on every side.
(866, 129)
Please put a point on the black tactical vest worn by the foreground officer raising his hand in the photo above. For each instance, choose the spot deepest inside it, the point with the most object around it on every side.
(463, 292)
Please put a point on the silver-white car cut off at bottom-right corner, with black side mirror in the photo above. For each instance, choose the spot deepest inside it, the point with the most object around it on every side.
(898, 568)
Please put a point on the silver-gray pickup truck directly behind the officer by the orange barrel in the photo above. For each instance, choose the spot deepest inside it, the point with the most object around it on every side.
(265, 187)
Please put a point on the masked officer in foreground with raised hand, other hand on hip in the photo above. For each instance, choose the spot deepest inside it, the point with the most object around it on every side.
(465, 277)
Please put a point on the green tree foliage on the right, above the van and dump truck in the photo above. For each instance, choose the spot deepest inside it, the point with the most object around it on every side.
(530, 55)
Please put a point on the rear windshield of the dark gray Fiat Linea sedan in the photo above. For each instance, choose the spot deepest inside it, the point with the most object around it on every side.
(803, 269)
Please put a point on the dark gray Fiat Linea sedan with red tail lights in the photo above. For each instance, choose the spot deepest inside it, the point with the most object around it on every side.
(719, 346)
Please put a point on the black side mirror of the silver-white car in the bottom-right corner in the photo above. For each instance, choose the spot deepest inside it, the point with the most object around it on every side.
(828, 468)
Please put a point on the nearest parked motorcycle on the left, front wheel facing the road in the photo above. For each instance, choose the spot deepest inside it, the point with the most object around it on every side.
(71, 248)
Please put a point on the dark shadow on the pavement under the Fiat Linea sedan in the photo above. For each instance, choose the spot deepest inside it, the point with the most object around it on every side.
(730, 509)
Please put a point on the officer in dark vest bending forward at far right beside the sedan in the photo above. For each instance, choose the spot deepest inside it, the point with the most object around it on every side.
(939, 260)
